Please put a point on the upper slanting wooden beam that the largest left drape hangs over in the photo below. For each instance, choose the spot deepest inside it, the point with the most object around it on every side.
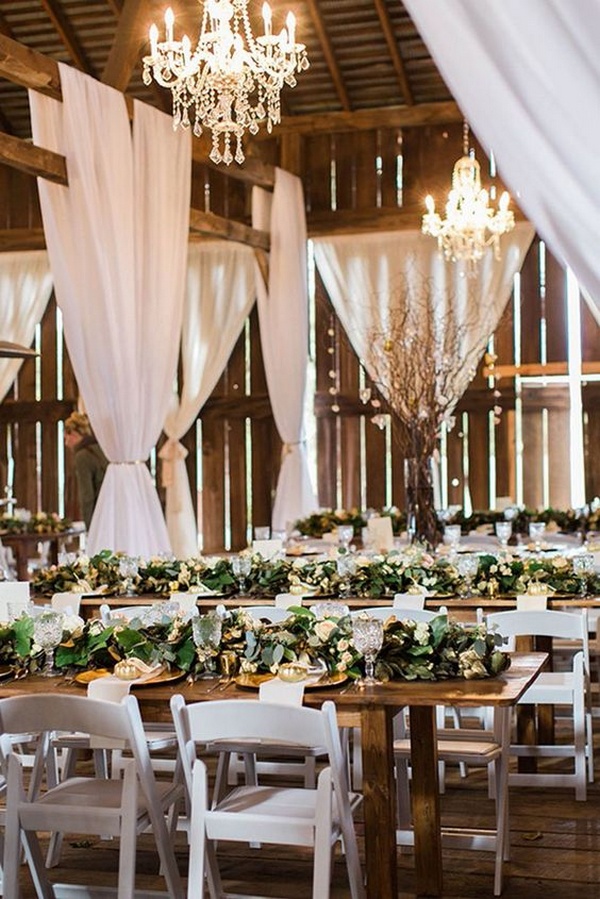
(32, 70)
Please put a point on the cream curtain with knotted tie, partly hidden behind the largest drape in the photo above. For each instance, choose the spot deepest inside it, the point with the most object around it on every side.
(220, 293)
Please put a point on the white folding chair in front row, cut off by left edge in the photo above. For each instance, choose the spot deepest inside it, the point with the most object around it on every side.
(88, 805)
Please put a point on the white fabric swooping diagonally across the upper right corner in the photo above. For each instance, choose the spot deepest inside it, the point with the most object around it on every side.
(526, 73)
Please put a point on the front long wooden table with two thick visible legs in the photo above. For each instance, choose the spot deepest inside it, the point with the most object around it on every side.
(376, 707)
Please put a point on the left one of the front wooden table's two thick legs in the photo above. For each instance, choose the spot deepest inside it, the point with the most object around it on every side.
(379, 805)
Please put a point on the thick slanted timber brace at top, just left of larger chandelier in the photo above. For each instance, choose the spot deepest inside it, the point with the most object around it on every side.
(131, 35)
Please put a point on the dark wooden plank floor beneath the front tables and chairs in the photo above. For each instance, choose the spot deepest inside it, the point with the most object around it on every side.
(555, 853)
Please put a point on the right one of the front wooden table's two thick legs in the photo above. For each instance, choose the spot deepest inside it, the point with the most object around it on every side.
(425, 801)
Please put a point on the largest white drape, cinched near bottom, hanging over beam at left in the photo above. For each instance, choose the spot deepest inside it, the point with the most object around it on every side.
(117, 240)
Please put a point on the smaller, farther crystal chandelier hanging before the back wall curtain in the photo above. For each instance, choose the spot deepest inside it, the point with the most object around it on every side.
(470, 224)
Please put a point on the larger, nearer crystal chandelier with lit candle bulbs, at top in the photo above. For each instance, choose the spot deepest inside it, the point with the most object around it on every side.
(232, 81)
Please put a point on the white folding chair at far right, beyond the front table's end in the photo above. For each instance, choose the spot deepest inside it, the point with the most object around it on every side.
(562, 688)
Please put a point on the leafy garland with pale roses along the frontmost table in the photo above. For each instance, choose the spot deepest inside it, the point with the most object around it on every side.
(410, 650)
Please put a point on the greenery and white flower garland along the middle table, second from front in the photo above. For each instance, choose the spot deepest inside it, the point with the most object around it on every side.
(370, 576)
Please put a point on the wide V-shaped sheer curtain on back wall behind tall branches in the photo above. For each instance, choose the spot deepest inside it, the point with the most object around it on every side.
(371, 277)
